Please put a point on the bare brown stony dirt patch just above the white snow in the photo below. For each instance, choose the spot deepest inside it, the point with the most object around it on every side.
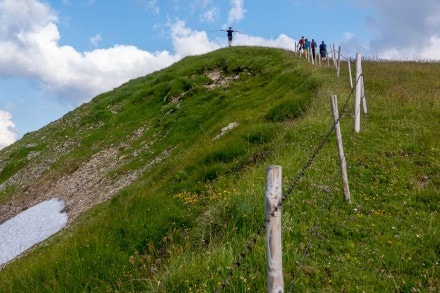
(85, 187)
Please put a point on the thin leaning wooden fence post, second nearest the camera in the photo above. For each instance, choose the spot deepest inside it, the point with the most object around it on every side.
(343, 164)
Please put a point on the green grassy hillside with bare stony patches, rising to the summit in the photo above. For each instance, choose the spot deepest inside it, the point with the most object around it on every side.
(189, 198)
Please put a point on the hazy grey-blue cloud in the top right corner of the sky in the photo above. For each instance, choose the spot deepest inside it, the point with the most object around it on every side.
(409, 31)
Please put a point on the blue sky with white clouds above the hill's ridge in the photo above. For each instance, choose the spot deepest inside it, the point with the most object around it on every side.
(58, 54)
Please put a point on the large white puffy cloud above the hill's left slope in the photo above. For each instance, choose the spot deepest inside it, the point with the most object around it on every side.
(29, 42)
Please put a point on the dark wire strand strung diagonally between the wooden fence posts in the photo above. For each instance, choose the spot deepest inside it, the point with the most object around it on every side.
(292, 185)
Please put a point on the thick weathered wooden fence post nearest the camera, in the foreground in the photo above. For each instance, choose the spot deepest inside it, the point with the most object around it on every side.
(273, 198)
